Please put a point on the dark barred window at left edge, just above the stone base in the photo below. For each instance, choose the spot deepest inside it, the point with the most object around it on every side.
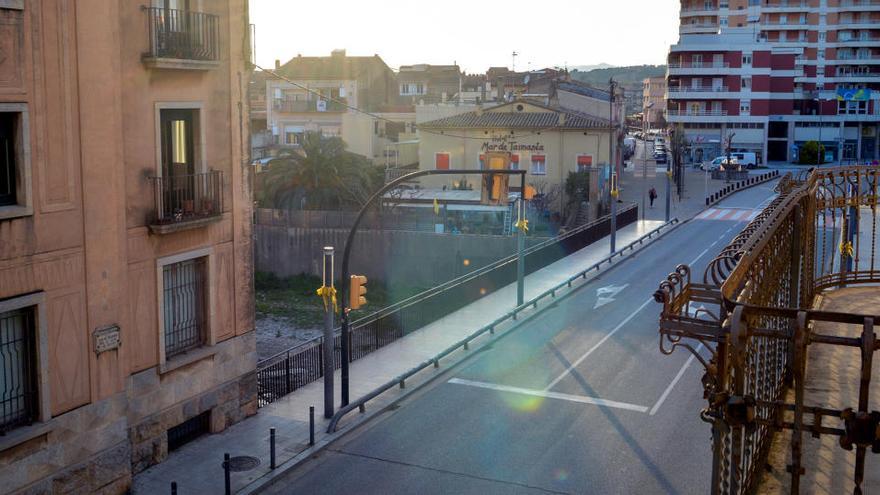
(18, 389)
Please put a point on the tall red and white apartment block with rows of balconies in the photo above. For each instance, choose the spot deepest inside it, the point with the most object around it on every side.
(770, 75)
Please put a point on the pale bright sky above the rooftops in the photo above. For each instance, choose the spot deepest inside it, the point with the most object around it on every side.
(474, 34)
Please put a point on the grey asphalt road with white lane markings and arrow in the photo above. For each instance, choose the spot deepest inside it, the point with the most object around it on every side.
(577, 400)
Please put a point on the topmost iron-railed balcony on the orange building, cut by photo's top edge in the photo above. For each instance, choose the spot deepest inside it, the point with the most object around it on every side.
(182, 39)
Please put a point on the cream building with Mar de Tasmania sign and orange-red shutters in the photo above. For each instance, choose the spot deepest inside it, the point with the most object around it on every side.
(548, 142)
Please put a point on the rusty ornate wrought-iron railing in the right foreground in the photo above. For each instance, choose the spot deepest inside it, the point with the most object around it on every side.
(754, 313)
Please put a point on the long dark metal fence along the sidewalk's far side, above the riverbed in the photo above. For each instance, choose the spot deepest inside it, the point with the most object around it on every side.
(283, 373)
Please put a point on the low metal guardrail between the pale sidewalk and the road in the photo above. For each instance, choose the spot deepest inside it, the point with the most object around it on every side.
(512, 315)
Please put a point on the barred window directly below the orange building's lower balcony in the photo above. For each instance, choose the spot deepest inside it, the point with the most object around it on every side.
(184, 306)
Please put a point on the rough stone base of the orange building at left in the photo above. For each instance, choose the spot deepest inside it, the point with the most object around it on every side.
(97, 448)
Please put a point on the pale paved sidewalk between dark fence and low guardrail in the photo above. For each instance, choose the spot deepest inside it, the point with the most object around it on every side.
(196, 467)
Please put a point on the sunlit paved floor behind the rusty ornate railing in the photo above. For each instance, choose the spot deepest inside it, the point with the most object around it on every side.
(833, 374)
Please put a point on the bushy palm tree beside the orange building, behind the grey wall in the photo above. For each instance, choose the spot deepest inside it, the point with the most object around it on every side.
(322, 175)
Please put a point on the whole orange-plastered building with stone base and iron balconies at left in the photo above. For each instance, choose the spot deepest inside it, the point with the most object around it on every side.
(126, 288)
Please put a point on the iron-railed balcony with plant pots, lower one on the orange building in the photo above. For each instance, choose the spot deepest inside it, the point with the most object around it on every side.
(186, 201)
